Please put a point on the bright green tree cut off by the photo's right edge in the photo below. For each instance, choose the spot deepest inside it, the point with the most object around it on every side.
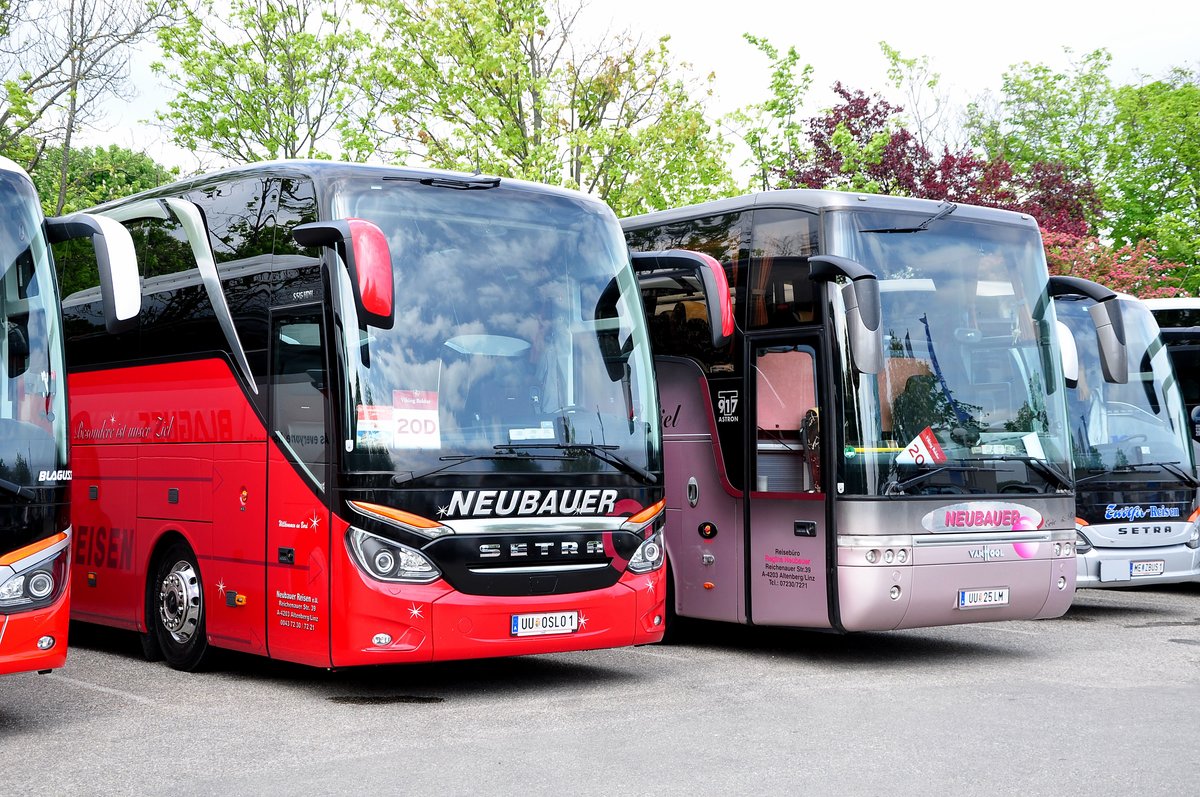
(1155, 161)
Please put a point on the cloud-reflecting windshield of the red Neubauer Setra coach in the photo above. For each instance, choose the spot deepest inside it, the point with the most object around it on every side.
(519, 344)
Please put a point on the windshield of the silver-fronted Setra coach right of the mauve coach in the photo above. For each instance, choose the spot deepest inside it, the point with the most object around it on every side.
(1143, 422)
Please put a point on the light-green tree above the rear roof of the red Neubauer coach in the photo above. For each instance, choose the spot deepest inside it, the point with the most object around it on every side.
(261, 80)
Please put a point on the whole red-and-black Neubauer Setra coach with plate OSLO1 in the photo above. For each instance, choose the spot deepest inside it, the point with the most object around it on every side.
(370, 416)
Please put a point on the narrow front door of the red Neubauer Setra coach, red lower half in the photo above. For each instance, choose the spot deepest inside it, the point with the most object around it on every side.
(298, 475)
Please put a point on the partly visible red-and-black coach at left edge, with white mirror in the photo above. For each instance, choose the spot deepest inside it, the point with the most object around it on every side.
(35, 474)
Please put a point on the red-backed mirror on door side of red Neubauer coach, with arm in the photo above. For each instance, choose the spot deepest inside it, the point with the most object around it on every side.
(364, 249)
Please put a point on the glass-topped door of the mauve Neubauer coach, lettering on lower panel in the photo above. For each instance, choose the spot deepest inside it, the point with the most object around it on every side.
(787, 550)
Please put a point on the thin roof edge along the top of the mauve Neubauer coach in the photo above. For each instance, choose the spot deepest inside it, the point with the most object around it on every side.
(814, 200)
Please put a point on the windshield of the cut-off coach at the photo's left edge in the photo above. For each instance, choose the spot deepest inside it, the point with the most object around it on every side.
(33, 409)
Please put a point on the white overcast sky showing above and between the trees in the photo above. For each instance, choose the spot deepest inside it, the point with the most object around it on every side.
(970, 45)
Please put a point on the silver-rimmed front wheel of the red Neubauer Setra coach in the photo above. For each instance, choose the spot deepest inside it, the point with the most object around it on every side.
(178, 600)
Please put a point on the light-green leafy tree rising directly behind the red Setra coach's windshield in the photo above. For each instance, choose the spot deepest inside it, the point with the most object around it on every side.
(511, 88)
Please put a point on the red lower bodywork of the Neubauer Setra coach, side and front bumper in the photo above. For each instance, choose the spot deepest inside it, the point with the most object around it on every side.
(175, 451)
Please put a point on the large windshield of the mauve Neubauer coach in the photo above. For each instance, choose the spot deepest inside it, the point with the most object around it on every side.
(967, 402)
